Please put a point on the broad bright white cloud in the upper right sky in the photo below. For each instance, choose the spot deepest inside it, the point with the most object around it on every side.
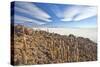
(77, 13)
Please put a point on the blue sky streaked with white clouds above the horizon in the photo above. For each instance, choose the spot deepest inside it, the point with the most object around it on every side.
(54, 15)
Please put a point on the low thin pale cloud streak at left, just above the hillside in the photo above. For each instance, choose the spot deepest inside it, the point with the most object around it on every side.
(25, 19)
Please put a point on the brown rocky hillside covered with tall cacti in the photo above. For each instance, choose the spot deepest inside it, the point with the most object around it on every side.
(30, 46)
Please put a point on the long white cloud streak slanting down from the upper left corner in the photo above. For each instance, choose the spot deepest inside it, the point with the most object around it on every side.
(32, 10)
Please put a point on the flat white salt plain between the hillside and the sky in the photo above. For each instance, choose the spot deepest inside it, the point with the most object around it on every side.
(90, 33)
